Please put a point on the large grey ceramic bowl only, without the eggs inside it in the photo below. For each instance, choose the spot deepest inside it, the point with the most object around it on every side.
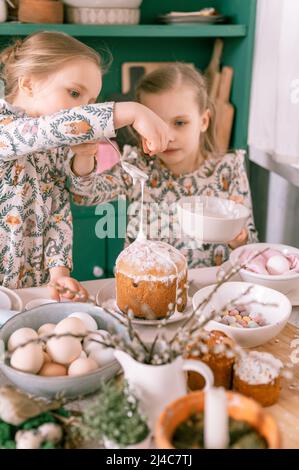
(50, 387)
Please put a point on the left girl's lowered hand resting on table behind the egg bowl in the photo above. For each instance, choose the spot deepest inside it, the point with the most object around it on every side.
(60, 279)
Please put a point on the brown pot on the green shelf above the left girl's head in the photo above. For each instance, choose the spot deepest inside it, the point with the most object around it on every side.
(40, 11)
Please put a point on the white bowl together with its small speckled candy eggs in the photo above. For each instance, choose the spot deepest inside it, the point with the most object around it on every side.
(250, 314)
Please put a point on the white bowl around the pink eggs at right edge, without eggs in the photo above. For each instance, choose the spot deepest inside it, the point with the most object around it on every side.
(283, 283)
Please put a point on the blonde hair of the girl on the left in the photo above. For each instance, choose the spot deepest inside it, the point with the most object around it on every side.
(39, 54)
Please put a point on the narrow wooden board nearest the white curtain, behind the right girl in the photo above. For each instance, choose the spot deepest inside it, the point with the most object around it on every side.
(225, 111)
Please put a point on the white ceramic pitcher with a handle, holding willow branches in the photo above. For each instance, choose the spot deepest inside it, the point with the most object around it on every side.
(156, 386)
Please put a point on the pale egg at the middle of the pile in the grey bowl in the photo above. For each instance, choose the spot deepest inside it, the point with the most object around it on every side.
(64, 350)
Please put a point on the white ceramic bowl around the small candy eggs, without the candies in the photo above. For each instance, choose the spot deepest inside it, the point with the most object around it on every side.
(275, 316)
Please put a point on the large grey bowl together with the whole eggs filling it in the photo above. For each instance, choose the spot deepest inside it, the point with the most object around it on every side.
(66, 355)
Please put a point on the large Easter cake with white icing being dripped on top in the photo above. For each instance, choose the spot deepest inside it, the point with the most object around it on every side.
(151, 280)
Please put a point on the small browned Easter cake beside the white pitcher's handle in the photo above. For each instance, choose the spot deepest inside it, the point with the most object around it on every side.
(219, 356)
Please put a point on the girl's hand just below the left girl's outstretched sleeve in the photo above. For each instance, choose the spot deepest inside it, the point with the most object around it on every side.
(84, 159)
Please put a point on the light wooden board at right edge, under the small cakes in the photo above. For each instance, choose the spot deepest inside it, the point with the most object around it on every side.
(286, 410)
